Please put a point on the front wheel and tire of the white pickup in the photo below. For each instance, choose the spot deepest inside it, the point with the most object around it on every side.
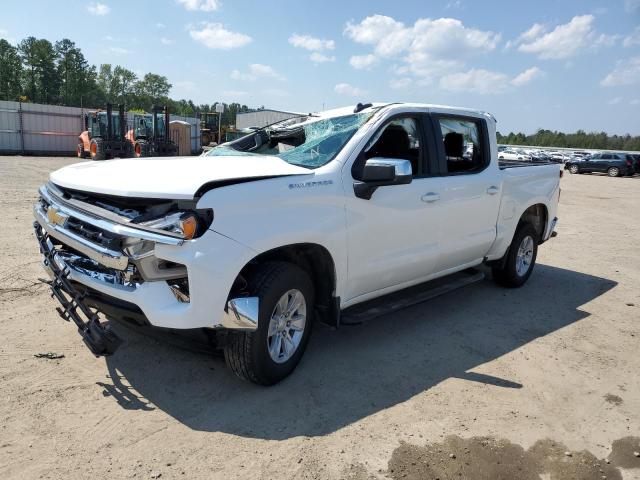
(272, 352)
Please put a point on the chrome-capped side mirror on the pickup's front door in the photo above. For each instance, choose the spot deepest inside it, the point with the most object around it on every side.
(380, 172)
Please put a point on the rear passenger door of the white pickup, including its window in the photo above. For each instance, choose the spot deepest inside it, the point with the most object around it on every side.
(468, 189)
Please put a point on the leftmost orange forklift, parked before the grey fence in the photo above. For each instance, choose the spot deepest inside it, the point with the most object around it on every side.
(104, 135)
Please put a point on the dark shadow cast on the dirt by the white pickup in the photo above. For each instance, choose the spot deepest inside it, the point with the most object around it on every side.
(354, 372)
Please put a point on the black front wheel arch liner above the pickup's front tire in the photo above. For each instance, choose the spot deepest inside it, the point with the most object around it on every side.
(313, 258)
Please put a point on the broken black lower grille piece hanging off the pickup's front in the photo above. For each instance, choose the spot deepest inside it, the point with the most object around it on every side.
(98, 338)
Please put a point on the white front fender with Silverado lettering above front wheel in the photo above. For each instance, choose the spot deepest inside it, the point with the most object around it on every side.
(270, 213)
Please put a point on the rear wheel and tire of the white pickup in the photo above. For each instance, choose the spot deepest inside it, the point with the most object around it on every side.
(520, 259)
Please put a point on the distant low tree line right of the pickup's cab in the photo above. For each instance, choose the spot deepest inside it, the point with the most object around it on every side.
(579, 139)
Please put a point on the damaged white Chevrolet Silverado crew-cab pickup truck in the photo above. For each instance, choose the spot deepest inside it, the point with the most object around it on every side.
(295, 222)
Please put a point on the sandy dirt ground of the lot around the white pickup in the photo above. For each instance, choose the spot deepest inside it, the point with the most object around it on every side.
(538, 382)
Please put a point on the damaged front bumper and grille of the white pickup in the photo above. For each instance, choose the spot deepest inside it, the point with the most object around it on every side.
(190, 291)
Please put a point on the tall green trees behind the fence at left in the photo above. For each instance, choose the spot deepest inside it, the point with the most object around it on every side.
(39, 71)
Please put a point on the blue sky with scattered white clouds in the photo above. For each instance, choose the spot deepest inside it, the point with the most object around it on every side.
(554, 64)
